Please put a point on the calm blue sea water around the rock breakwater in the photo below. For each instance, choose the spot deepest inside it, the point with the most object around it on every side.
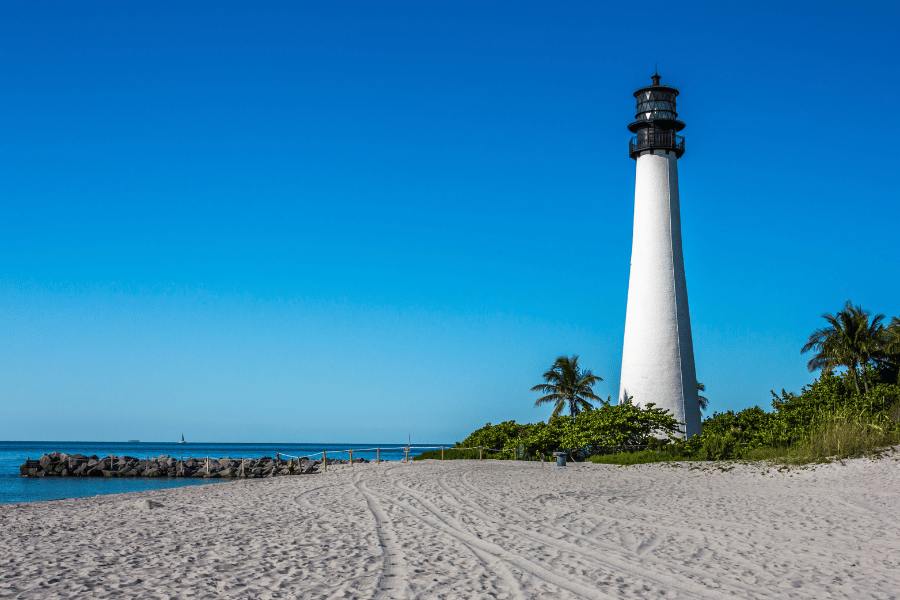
(30, 489)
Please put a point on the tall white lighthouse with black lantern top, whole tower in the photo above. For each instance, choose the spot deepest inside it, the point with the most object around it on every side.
(658, 354)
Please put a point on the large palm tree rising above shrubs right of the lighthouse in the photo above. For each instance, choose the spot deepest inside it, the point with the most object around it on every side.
(850, 340)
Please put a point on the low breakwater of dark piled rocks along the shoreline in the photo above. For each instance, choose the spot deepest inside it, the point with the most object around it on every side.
(59, 464)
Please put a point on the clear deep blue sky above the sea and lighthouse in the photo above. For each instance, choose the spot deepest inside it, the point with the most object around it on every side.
(354, 221)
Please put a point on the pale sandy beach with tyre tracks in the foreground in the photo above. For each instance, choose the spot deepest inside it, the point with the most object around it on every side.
(469, 529)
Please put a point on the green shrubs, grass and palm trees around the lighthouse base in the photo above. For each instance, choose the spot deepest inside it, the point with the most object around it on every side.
(843, 414)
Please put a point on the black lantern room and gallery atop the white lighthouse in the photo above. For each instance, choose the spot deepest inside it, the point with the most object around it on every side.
(656, 121)
